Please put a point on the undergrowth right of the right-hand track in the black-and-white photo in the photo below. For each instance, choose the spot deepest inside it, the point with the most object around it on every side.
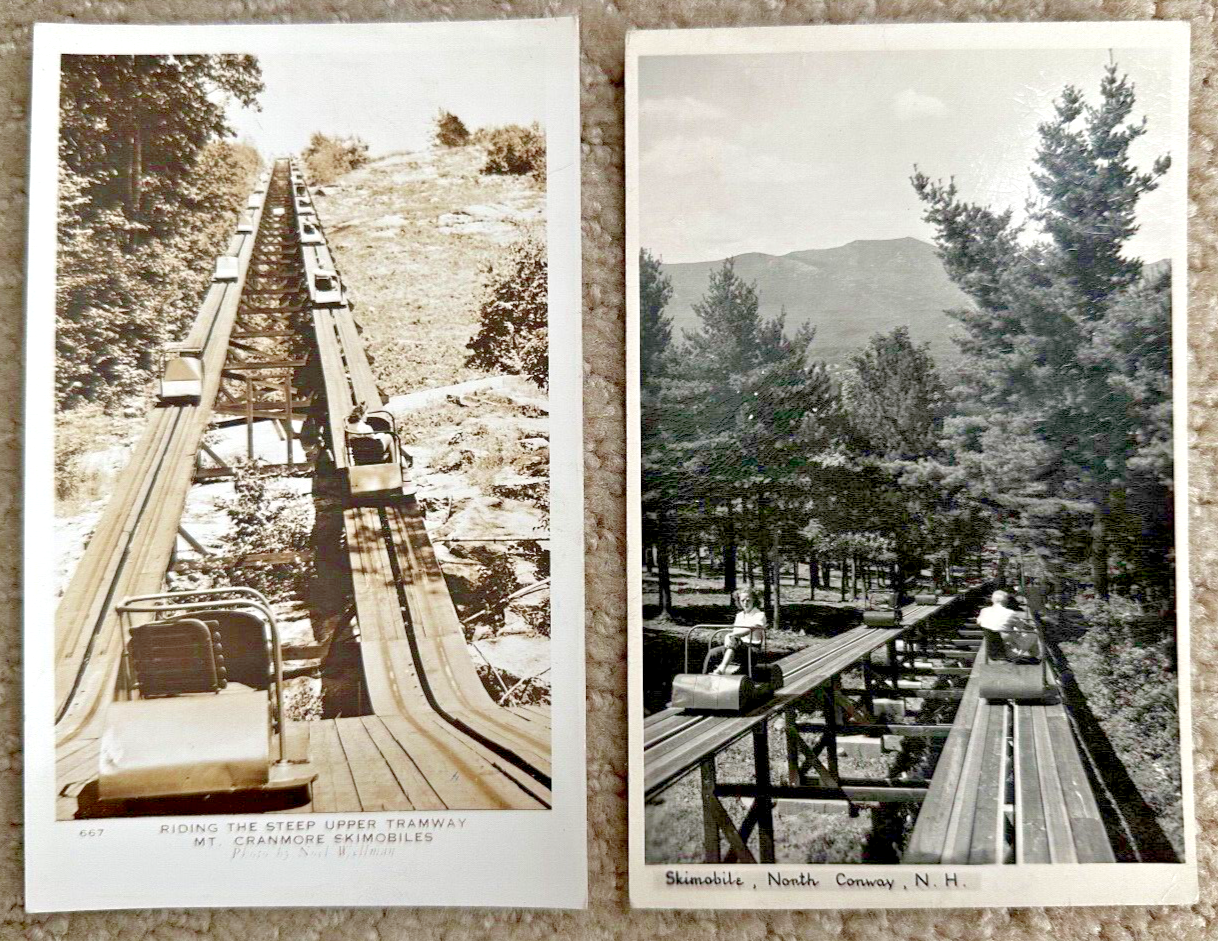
(1132, 687)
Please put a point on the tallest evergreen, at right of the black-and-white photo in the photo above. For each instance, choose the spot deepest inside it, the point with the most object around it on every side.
(1053, 421)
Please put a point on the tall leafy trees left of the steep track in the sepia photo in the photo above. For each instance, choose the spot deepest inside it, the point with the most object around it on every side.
(149, 194)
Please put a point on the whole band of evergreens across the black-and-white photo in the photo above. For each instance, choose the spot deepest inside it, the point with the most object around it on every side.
(1052, 444)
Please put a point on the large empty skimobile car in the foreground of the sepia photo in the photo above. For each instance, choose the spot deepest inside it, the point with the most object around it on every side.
(202, 708)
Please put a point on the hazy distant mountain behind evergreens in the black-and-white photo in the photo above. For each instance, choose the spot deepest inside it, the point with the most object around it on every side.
(850, 294)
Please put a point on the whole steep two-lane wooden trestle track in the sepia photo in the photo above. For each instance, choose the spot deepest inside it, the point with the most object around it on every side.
(435, 740)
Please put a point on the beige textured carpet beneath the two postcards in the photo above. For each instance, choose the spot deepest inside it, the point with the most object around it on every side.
(605, 25)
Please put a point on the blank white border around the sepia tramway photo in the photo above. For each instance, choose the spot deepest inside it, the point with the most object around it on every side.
(493, 859)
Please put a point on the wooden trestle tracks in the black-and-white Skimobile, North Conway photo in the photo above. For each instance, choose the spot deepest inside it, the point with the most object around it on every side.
(1009, 787)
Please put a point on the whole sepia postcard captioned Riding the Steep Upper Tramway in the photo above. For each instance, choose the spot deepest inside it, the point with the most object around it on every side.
(304, 545)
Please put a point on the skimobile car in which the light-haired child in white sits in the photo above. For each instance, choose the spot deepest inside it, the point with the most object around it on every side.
(708, 692)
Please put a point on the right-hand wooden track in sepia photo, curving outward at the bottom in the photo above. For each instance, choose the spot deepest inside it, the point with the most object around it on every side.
(416, 663)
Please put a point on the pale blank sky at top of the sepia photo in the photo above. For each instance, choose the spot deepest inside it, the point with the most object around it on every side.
(390, 100)
